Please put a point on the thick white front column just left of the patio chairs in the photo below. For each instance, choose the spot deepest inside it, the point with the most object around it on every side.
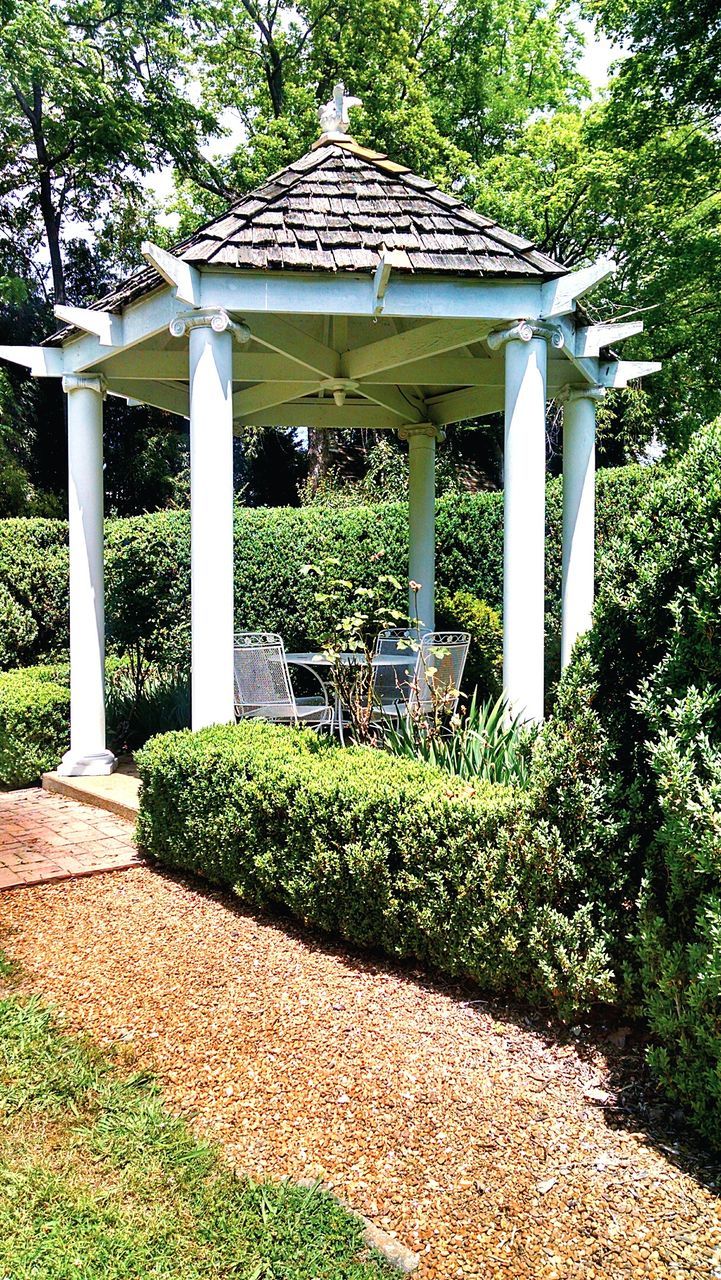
(212, 515)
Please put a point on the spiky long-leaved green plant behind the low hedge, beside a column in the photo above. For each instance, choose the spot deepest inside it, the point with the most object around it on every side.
(482, 743)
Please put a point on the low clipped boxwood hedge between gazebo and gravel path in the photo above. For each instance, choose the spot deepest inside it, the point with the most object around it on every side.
(377, 851)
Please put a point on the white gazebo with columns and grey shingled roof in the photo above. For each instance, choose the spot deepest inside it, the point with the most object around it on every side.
(345, 292)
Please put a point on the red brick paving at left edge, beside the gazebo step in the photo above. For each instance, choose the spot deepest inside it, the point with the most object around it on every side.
(45, 838)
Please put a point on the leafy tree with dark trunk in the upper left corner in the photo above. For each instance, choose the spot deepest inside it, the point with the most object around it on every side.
(93, 95)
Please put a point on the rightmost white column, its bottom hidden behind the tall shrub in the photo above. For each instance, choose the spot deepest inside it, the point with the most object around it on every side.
(579, 513)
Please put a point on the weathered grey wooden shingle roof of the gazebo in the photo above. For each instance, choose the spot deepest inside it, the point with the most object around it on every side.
(339, 209)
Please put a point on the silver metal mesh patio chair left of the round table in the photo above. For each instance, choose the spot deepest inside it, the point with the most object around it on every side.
(264, 689)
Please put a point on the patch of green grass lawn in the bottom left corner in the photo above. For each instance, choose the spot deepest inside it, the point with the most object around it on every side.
(99, 1182)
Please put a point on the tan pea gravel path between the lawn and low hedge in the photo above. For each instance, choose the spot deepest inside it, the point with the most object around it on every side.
(487, 1146)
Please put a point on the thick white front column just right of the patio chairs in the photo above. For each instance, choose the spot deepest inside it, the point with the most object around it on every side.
(524, 516)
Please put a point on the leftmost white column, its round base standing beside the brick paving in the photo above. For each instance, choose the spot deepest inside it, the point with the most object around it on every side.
(88, 755)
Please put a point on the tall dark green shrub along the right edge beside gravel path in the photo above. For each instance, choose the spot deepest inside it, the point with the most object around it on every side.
(629, 767)
